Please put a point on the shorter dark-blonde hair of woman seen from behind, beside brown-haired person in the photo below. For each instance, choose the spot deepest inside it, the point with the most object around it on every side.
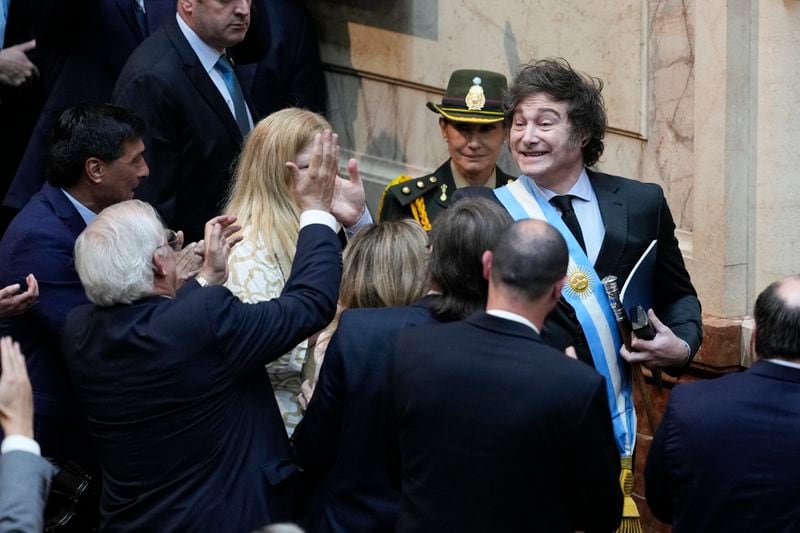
(385, 265)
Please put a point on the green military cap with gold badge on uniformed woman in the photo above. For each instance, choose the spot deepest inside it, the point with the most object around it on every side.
(474, 96)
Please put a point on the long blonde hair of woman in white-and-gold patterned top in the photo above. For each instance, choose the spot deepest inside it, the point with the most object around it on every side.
(261, 192)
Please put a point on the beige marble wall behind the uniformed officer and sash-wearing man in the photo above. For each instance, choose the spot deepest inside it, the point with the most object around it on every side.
(699, 96)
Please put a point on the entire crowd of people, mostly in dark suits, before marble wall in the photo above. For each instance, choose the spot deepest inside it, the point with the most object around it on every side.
(281, 358)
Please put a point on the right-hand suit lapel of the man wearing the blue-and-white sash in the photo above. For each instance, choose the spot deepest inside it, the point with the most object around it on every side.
(614, 211)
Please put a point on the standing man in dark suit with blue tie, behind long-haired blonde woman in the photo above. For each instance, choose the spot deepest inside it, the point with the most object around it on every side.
(182, 82)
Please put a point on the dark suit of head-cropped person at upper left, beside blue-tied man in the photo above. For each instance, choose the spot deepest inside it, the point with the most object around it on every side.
(86, 44)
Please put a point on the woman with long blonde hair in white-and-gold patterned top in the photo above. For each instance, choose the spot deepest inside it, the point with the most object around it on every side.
(277, 151)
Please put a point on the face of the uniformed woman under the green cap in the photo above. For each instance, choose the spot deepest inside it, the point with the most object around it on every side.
(474, 148)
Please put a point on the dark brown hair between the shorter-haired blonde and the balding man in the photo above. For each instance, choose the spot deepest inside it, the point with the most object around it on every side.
(459, 237)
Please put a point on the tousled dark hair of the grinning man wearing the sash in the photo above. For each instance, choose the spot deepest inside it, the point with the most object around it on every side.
(561, 82)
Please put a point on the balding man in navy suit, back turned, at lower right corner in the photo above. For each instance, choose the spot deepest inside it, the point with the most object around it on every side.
(725, 455)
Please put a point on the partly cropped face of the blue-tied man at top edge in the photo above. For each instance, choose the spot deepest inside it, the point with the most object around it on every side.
(219, 23)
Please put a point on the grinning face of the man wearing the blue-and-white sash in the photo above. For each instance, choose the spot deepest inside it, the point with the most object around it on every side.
(543, 144)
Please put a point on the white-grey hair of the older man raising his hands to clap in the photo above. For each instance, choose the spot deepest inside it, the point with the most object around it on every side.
(114, 254)
